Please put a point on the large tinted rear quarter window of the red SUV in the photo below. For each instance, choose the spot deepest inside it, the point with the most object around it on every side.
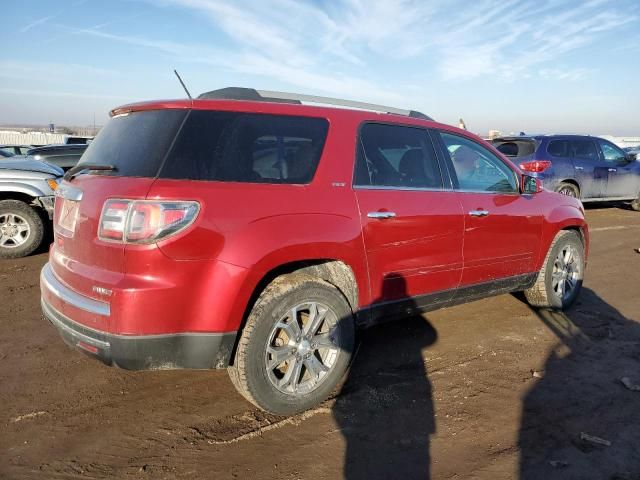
(246, 147)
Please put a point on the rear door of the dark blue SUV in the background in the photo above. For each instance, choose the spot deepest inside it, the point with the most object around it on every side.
(592, 172)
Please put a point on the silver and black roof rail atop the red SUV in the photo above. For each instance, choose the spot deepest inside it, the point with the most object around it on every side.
(239, 93)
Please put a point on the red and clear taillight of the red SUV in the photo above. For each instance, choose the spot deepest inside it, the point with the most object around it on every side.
(144, 221)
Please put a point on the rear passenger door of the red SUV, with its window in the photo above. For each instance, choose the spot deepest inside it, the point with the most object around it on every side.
(412, 228)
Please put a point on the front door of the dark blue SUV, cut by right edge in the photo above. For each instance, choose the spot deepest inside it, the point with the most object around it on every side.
(623, 175)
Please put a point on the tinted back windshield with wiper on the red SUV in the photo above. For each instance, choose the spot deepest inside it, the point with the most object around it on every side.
(136, 143)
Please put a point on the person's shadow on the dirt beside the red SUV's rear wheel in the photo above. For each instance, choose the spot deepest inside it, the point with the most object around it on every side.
(388, 392)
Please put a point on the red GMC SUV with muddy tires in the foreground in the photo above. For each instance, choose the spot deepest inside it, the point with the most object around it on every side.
(247, 230)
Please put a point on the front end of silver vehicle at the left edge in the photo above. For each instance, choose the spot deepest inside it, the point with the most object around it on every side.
(27, 187)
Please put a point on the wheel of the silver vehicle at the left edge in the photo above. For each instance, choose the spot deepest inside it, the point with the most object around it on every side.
(22, 246)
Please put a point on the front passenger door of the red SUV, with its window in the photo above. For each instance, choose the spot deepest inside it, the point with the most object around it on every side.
(502, 227)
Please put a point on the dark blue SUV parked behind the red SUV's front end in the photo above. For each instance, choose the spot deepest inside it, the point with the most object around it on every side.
(590, 168)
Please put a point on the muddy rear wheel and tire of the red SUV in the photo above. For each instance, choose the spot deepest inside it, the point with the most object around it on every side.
(250, 372)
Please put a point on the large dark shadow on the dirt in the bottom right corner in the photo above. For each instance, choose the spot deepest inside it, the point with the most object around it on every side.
(580, 395)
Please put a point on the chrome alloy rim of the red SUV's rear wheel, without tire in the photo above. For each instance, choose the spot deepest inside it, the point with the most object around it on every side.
(302, 348)
